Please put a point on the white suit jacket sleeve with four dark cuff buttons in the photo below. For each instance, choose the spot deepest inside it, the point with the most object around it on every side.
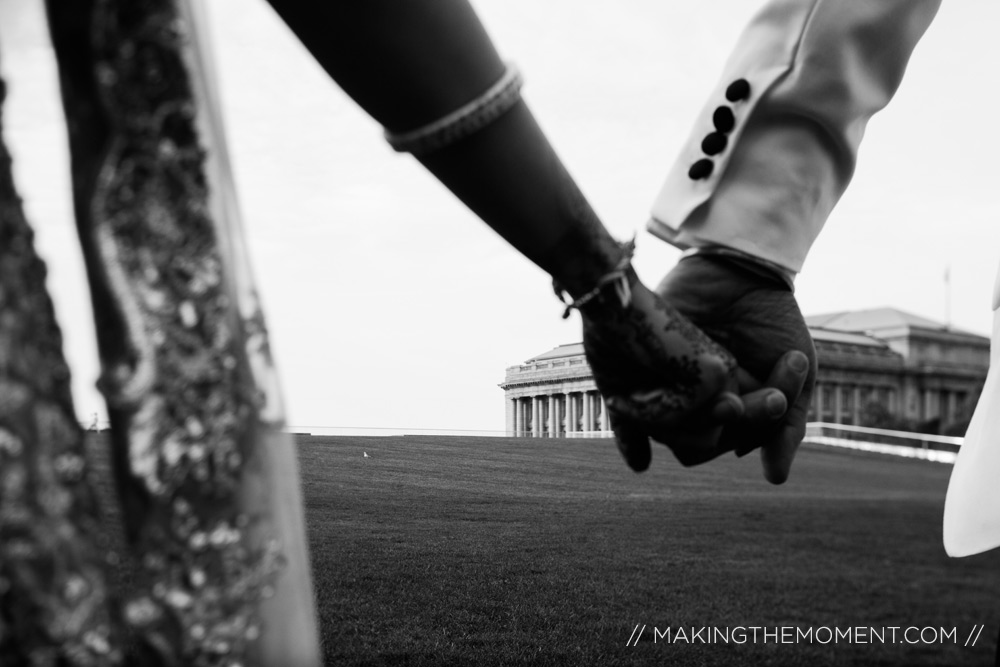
(776, 144)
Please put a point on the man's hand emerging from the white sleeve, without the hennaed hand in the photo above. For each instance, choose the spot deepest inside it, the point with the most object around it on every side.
(756, 317)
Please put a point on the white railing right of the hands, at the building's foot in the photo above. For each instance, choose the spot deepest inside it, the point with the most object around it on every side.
(940, 448)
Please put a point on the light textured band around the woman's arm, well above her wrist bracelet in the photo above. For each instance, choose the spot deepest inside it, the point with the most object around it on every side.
(467, 119)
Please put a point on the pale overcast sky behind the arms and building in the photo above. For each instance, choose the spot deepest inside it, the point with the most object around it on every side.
(390, 305)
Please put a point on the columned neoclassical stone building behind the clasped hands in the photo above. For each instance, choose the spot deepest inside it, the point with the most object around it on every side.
(873, 363)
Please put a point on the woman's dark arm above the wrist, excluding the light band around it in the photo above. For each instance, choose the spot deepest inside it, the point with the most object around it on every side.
(409, 64)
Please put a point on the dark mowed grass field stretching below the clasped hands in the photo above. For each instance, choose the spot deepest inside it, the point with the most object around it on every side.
(497, 551)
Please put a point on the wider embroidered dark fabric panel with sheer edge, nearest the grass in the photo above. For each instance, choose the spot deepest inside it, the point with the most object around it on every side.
(186, 369)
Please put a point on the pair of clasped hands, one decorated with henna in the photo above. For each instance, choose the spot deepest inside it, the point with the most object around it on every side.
(665, 364)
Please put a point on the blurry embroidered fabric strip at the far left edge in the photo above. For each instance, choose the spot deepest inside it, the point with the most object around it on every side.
(54, 601)
